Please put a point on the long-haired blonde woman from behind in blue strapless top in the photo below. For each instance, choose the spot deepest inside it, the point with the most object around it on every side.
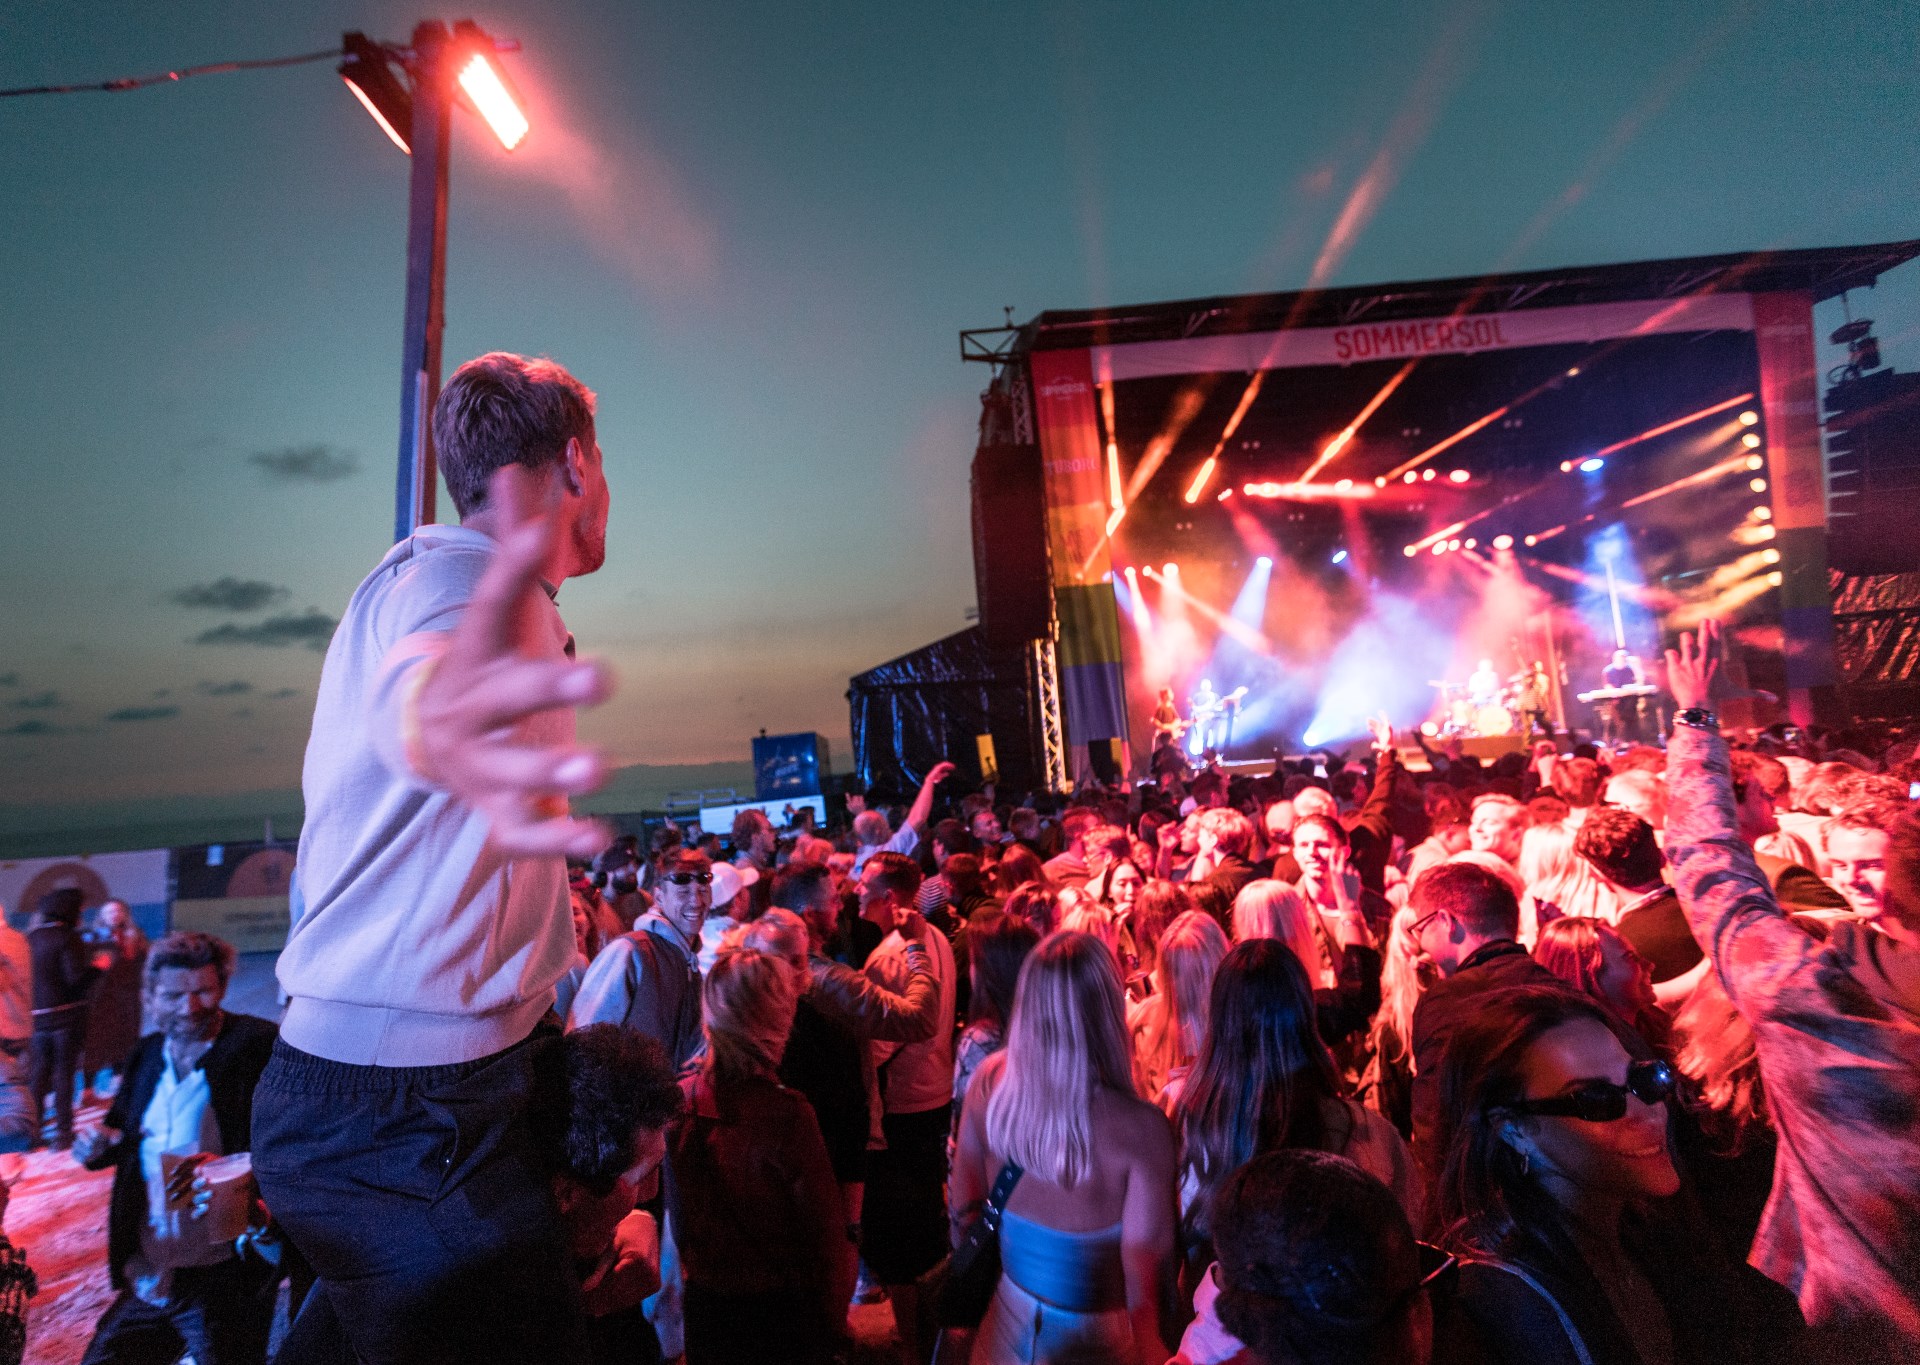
(1088, 1239)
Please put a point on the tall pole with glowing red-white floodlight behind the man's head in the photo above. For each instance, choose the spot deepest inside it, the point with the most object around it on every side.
(418, 116)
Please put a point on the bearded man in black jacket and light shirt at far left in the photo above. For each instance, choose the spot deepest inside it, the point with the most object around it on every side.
(187, 1099)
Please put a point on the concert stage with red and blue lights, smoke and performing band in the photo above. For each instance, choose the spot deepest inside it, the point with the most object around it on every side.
(1381, 498)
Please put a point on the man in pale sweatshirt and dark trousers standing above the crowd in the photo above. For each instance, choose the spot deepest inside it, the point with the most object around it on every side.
(433, 917)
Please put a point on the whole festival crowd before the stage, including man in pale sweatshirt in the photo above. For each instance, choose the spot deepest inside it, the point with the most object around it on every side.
(1575, 1057)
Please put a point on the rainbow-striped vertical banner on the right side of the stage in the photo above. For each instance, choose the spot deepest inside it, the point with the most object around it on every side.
(1796, 477)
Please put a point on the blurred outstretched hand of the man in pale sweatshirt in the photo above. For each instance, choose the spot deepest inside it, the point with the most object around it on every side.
(468, 734)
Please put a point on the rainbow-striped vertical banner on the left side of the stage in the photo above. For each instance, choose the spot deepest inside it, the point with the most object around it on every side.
(1092, 677)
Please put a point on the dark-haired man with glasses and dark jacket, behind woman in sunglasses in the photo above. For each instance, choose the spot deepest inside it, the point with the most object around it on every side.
(1466, 924)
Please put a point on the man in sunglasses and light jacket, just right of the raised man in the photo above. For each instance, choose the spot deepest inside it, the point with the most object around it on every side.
(650, 980)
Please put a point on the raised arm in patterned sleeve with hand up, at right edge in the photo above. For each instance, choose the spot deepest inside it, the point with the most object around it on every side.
(1836, 1028)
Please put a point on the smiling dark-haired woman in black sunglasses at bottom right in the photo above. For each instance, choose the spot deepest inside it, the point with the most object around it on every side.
(1558, 1193)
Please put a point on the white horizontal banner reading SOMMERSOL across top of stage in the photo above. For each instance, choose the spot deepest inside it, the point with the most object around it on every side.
(1412, 339)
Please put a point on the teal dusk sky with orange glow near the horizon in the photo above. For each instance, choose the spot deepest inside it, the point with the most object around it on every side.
(756, 231)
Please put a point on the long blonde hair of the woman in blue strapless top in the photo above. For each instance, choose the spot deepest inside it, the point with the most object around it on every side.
(1067, 1042)
